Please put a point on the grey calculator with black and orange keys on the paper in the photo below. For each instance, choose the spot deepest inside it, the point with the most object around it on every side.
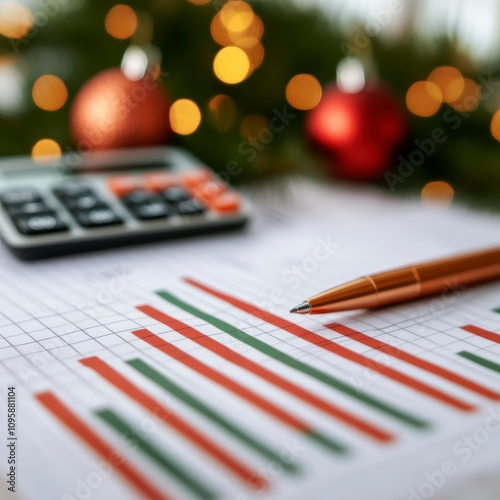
(90, 201)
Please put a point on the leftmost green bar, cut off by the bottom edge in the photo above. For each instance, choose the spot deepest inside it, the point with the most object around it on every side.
(165, 462)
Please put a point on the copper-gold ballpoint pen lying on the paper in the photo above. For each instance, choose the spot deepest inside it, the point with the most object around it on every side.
(407, 283)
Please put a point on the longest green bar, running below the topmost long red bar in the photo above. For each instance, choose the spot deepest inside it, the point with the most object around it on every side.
(297, 365)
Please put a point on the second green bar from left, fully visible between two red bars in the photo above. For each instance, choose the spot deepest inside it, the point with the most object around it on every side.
(167, 384)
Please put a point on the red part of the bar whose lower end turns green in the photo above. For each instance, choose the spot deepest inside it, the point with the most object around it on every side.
(253, 398)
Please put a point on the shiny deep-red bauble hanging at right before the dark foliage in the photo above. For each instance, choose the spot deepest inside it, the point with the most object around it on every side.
(360, 130)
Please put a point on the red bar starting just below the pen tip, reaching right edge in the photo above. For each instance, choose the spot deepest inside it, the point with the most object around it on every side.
(413, 360)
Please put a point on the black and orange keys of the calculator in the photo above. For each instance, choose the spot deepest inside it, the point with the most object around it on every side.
(151, 196)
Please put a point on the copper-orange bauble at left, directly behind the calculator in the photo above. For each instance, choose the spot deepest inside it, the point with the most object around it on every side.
(112, 111)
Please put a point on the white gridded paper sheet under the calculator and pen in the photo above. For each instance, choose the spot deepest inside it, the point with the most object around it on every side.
(303, 239)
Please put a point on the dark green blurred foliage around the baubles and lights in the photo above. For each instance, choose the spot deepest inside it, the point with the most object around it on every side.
(75, 45)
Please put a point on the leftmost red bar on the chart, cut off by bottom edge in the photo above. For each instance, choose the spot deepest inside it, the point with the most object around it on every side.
(113, 457)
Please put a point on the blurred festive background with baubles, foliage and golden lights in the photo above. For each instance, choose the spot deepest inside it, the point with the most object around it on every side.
(402, 94)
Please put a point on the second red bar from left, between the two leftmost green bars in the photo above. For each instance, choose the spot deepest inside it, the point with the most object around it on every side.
(167, 416)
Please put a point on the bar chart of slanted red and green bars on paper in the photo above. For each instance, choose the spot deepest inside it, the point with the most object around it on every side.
(399, 417)
